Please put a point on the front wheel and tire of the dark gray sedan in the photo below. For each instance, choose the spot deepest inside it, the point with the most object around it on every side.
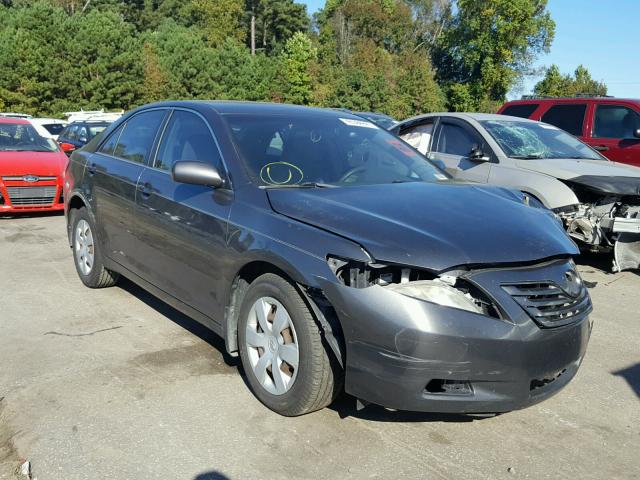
(316, 380)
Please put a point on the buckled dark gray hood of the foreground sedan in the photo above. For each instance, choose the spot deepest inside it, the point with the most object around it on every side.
(428, 225)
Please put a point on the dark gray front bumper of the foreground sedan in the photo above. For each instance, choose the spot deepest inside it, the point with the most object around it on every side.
(396, 346)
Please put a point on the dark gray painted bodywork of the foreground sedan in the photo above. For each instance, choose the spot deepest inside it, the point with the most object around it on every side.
(187, 244)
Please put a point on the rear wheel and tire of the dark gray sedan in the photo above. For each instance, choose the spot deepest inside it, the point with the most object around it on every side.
(87, 252)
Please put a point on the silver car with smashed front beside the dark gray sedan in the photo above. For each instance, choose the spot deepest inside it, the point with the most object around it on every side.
(597, 200)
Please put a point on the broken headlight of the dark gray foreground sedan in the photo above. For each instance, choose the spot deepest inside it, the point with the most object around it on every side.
(445, 290)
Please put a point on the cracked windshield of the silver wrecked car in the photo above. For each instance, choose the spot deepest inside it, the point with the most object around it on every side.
(534, 140)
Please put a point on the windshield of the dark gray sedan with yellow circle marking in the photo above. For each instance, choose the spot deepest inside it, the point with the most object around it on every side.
(299, 150)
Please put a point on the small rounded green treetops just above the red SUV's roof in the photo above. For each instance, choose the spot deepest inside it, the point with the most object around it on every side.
(555, 84)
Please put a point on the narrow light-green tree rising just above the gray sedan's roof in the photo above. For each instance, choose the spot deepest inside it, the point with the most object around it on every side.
(297, 57)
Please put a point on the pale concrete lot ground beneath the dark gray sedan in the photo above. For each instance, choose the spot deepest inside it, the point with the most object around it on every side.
(113, 384)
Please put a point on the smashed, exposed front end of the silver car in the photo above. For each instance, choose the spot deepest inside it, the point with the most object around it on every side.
(607, 219)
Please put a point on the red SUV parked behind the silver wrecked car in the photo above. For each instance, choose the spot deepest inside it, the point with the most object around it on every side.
(610, 125)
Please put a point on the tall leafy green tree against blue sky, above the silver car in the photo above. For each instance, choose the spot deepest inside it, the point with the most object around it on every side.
(488, 46)
